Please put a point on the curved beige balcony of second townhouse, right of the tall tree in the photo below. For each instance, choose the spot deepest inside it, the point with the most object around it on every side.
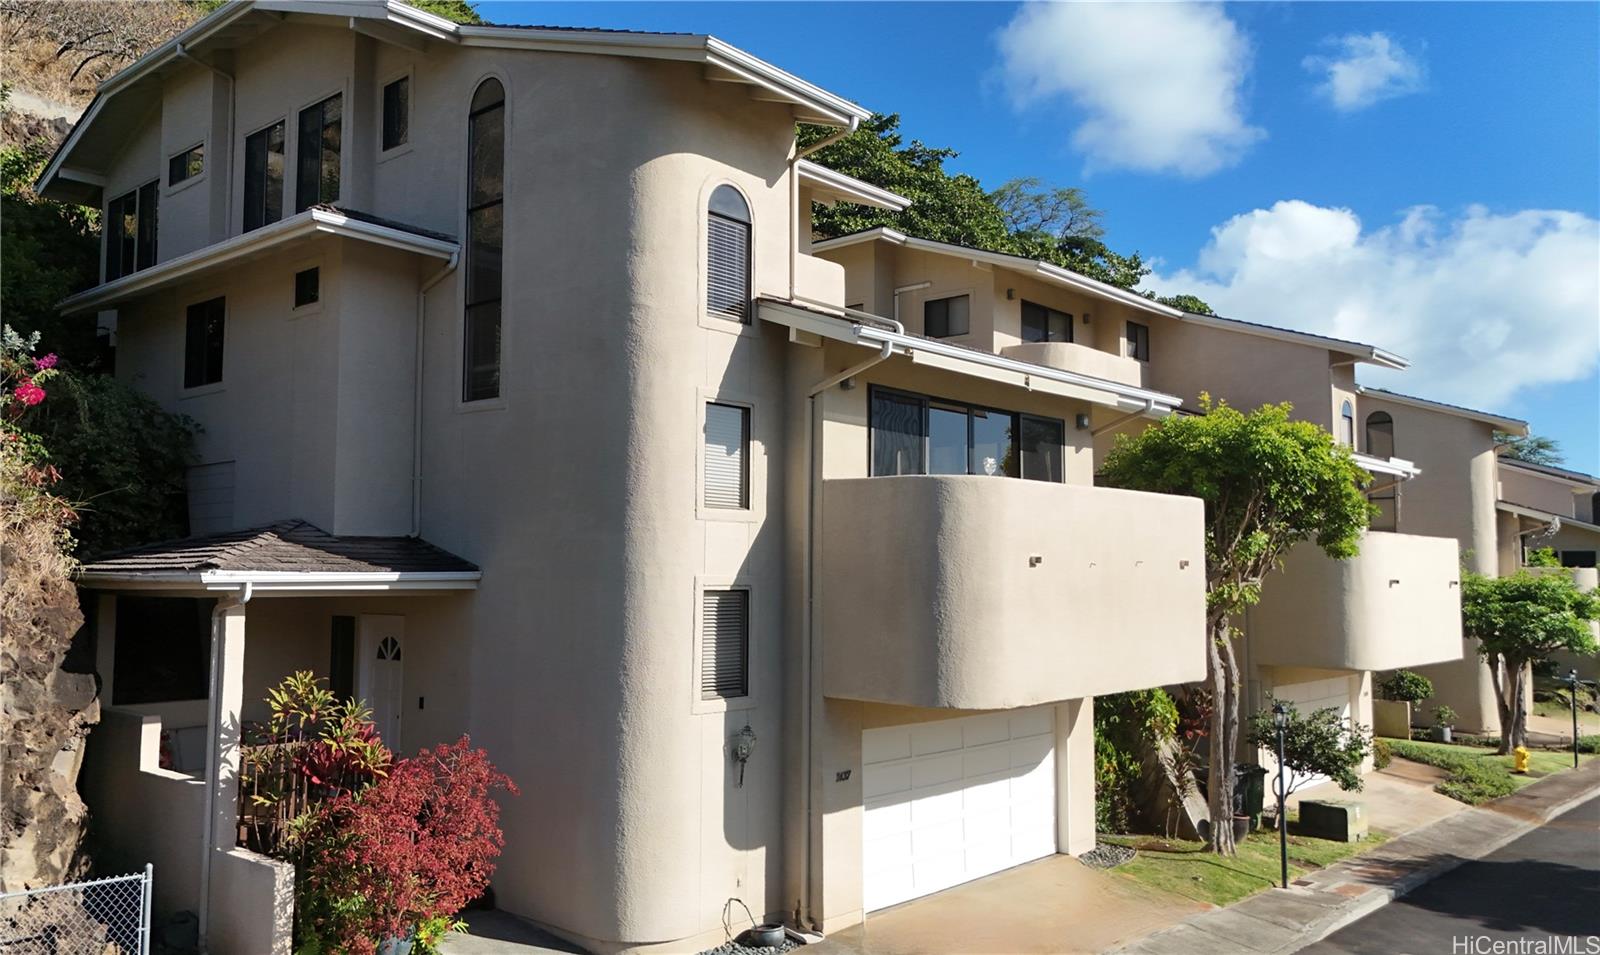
(1394, 605)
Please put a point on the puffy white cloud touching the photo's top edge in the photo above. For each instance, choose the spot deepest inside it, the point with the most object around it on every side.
(1159, 82)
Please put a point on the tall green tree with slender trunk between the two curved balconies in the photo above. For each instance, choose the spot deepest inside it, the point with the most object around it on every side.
(1268, 484)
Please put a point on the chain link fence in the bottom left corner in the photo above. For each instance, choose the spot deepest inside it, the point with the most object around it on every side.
(98, 917)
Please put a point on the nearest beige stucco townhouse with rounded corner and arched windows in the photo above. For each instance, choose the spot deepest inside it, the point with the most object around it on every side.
(529, 415)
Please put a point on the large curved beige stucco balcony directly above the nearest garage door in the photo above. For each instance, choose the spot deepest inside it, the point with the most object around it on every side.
(980, 593)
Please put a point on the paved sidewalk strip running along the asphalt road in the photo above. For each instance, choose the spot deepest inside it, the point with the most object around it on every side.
(1286, 921)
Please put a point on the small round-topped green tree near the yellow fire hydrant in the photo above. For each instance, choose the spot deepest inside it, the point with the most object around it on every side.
(1521, 620)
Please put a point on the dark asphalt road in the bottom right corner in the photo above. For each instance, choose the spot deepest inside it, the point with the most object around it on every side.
(1543, 885)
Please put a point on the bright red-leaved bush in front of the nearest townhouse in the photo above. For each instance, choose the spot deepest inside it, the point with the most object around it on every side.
(414, 849)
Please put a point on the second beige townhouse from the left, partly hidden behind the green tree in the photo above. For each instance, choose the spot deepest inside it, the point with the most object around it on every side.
(1324, 626)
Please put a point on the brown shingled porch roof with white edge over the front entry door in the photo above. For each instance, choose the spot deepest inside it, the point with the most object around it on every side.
(290, 556)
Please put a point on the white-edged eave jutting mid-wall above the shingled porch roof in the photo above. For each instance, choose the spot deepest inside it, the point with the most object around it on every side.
(260, 241)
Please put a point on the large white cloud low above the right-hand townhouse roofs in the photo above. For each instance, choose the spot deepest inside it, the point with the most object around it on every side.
(1484, 305)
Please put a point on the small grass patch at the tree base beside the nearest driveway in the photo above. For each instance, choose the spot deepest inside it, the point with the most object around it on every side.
(1186, 869)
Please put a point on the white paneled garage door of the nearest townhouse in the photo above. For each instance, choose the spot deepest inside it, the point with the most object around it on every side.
(953, 801)
